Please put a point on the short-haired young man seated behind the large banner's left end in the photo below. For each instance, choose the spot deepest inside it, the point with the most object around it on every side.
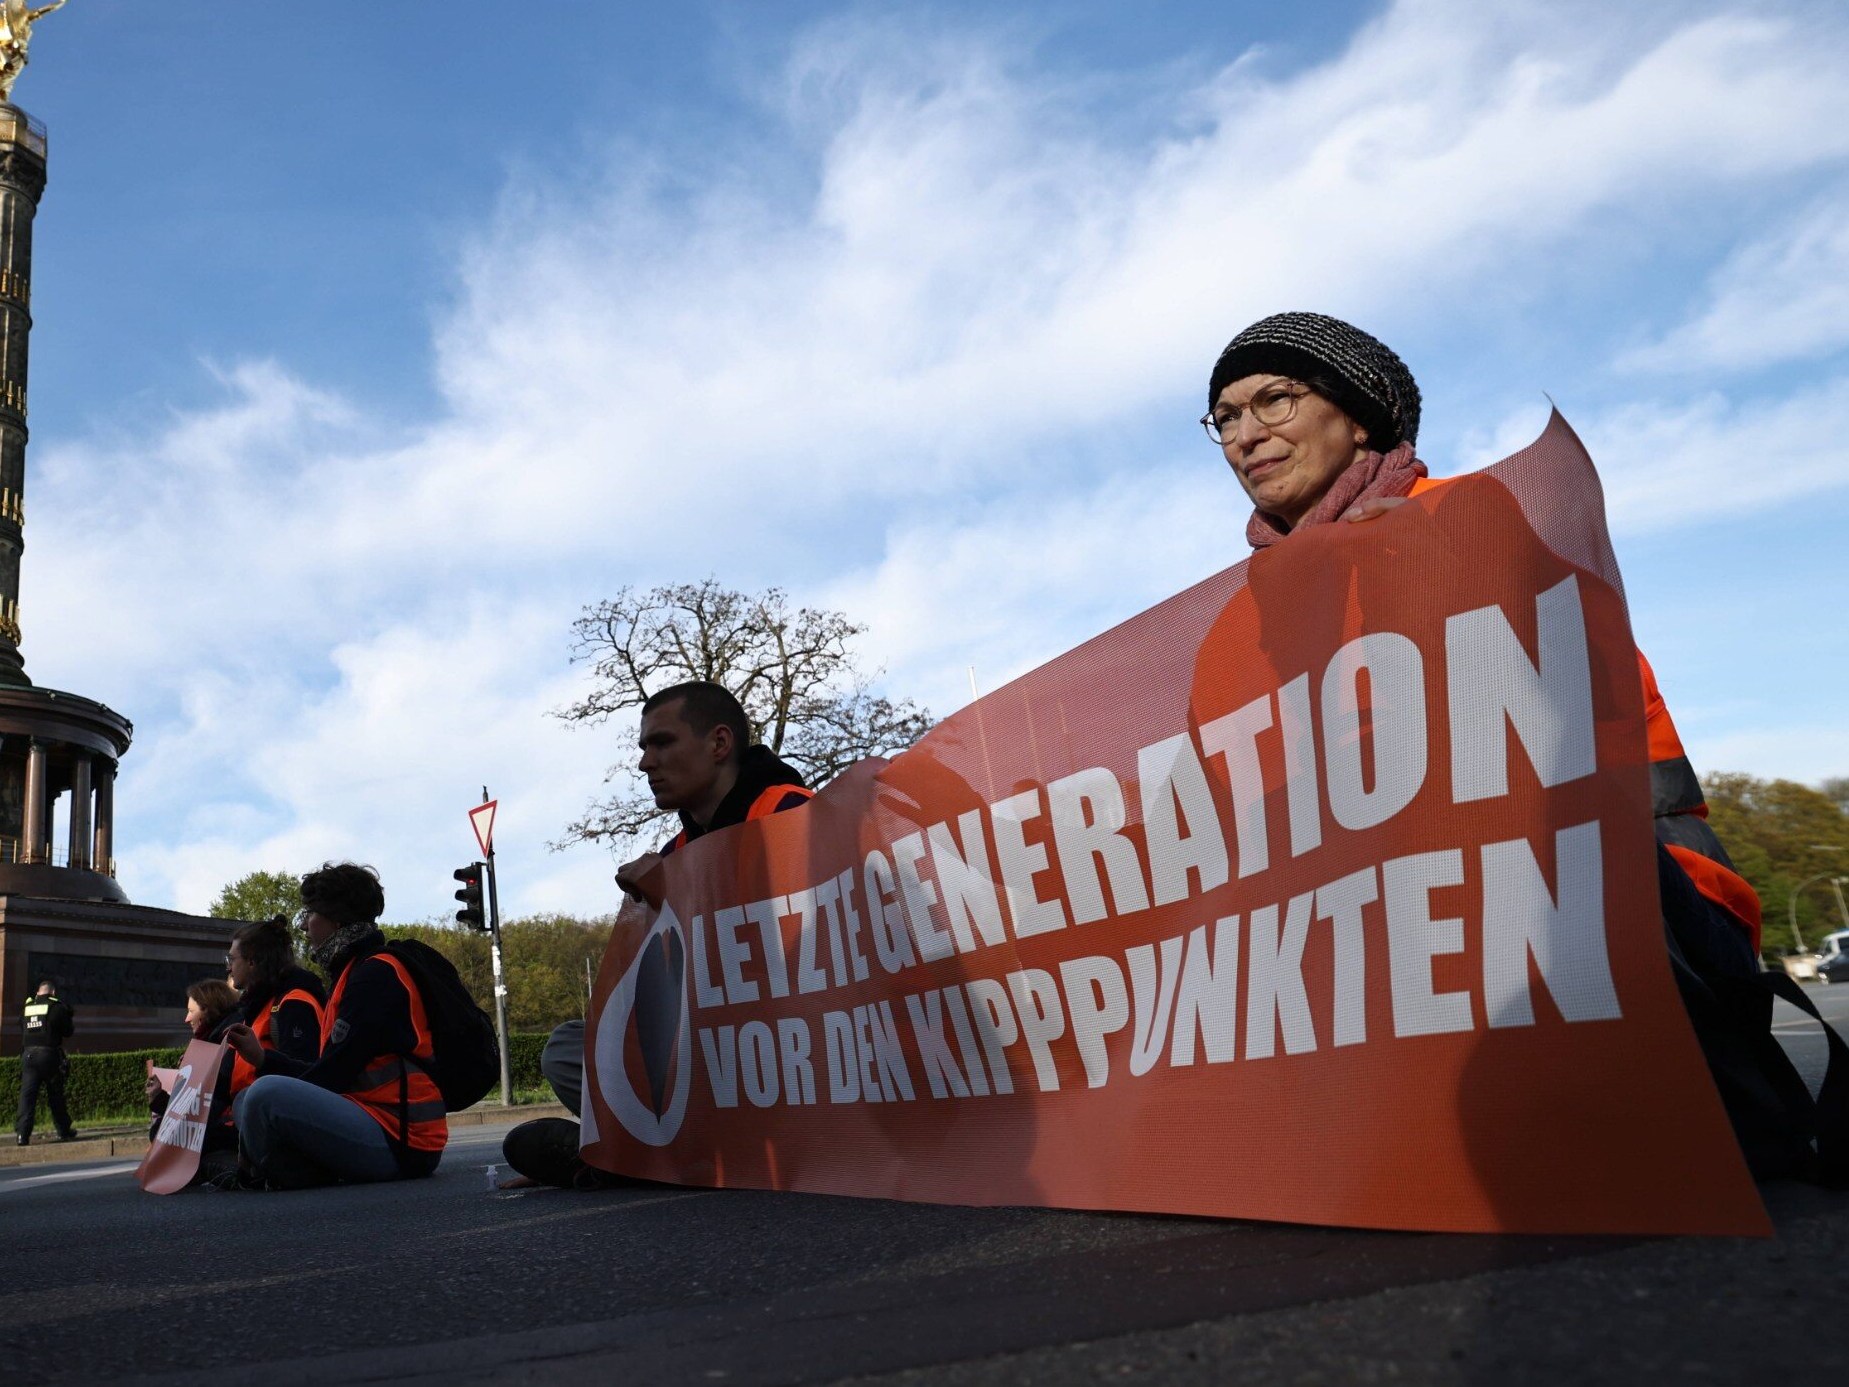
(700, 763)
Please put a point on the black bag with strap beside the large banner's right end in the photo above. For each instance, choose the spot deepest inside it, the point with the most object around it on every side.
(1783, 1133)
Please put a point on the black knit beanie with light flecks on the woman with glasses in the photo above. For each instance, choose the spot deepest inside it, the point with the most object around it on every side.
(1360, 374)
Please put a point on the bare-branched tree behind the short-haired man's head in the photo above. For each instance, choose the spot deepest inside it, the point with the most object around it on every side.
(794, 670)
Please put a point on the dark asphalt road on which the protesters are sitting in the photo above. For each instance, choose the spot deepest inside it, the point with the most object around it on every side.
(443, 1281)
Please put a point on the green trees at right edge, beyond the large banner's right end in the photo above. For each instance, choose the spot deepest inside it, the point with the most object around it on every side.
(1787, 841)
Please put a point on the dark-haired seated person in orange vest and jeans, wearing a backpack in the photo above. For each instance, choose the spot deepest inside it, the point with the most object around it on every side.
(365, 1109)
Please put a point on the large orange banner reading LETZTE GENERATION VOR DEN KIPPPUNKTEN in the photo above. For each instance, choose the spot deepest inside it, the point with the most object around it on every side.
(1321, 892)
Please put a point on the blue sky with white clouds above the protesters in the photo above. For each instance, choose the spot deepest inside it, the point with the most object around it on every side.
(363, 360)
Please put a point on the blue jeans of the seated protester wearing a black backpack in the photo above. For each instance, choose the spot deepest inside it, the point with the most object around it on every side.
(289, 1127)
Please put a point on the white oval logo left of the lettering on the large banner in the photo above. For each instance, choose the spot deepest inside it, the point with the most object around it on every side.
(646, 1038)
